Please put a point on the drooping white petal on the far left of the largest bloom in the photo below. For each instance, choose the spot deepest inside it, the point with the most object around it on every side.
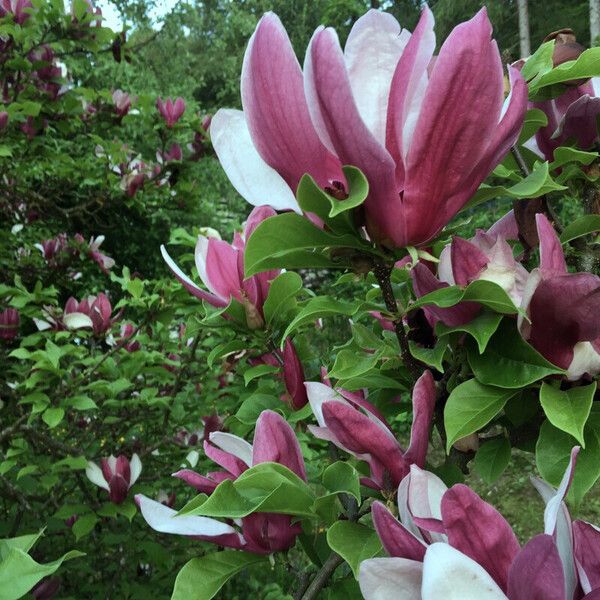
(250, 175)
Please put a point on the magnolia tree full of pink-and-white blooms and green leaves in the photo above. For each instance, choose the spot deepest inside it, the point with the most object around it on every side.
(370, 399)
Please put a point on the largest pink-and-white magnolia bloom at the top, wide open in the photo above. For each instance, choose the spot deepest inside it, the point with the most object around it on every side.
(383, 105)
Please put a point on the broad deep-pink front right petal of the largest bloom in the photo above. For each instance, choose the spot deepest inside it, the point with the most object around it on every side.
(464, 101)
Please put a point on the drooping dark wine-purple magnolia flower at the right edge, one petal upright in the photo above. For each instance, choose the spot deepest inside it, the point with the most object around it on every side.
(562, 309)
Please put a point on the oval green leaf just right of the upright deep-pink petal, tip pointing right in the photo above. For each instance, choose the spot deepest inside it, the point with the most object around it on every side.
(470, 407)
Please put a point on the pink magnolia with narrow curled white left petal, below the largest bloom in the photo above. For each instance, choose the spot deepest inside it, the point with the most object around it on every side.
(221, 268)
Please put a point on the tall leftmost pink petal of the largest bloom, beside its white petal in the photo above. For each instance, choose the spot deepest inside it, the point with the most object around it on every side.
(276, 110)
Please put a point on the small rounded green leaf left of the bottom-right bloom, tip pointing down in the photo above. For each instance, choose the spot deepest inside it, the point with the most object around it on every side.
(353, 542)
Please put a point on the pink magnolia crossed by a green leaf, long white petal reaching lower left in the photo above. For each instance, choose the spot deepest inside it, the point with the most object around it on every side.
(261, 533)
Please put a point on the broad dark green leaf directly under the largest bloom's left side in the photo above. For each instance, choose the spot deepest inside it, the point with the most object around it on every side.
(292, 241)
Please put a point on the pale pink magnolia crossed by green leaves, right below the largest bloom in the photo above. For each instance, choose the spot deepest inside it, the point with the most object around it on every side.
(487, 256)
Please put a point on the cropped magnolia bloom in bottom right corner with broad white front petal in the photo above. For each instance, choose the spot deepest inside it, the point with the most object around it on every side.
(451, 544)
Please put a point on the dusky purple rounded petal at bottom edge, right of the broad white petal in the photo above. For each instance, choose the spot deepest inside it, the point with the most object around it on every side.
(536, 573)
